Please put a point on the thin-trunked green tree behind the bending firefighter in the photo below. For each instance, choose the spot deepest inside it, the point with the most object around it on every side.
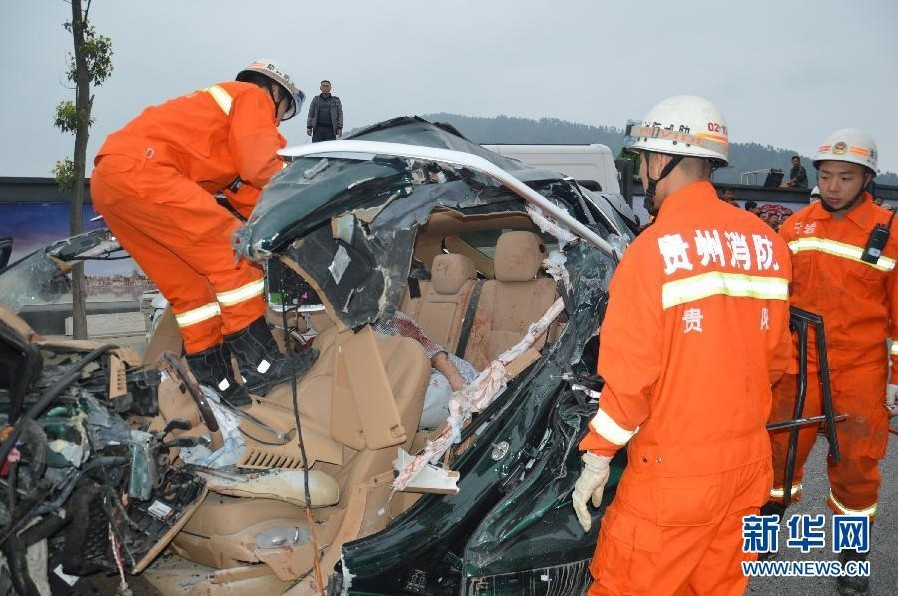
(91, 63)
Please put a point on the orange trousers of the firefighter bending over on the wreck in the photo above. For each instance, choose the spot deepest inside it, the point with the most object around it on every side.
(181, 238)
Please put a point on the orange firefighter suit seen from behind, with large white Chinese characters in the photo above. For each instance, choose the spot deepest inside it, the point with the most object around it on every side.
(696, 328)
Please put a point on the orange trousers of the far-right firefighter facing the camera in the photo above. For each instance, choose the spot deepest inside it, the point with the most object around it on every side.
(860, 393)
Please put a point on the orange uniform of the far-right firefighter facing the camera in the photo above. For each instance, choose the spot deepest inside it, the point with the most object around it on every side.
(859, 304)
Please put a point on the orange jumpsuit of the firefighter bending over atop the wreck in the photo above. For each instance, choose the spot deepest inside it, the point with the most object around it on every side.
(154, 183)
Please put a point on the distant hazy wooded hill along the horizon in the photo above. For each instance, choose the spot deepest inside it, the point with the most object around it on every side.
(744, 157)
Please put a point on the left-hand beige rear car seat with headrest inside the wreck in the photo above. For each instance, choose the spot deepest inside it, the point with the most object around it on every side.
(440, 310)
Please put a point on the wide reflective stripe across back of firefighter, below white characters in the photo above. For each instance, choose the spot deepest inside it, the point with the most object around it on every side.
(715, 283)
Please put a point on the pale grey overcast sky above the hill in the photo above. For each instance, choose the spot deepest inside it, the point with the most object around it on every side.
(784, 73)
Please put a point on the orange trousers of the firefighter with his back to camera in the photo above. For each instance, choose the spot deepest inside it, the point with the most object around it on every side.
(678, 535)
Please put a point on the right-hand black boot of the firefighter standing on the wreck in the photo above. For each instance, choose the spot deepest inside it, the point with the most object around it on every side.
(261, 362)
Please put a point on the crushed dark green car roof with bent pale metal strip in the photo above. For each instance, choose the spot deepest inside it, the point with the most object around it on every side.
(347, 212)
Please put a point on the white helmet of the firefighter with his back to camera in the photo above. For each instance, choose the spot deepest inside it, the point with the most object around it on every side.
(683, 125)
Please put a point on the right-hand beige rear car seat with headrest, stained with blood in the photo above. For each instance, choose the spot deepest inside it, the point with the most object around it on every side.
(511, 302)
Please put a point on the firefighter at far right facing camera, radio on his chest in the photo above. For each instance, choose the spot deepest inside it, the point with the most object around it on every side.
(843, 255)
